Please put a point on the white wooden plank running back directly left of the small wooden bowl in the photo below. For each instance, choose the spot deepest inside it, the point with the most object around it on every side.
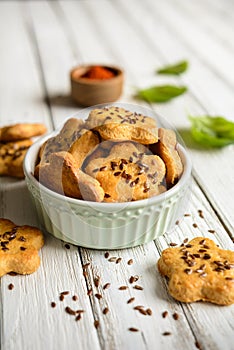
(57, 58)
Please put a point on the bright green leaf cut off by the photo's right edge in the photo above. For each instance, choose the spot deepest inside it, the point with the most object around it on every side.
(212, 131)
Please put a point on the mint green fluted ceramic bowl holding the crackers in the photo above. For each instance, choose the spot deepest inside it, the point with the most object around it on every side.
(107, 225)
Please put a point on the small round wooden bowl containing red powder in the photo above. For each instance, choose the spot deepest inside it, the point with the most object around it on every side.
(89, 92)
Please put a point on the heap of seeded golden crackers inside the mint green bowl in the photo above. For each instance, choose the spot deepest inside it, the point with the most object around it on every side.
(114, 156)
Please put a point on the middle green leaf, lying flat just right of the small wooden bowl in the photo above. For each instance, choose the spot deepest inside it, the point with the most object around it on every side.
(162, 93)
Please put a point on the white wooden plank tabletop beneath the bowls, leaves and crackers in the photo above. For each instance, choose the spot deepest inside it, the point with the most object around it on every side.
(39, 43)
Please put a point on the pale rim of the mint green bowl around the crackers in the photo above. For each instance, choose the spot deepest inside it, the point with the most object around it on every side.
(29, 170)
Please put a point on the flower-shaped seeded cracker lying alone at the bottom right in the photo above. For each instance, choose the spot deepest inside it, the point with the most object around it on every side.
(199, 270)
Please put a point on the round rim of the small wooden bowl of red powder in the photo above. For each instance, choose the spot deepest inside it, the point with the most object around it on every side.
(89, 81)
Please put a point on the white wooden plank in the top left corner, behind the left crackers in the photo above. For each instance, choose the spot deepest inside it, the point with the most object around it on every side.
(22, 96)
